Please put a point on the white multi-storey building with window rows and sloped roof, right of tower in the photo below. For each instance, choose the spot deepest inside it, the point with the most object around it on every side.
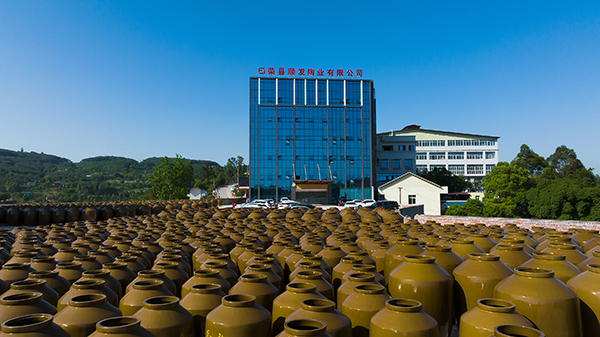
(470, 155)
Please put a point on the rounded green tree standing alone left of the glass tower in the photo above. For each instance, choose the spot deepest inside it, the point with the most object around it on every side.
(172, 180)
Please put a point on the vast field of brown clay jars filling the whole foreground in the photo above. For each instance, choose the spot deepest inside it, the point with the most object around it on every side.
(191, 269)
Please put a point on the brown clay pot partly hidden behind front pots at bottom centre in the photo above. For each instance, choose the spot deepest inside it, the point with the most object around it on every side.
(290, 300)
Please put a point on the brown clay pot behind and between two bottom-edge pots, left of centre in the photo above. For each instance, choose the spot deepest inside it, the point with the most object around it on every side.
(200, 301)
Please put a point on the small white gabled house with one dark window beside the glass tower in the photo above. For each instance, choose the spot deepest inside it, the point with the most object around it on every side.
(412, 189)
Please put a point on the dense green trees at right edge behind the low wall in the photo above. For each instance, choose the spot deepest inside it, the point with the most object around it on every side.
(531, 186)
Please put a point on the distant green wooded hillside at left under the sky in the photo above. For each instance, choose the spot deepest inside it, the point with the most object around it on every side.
(38, 177)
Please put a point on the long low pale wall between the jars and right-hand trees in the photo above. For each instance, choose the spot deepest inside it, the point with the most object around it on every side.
(524, 223)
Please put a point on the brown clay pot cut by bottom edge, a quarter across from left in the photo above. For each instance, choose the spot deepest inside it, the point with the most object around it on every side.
(164, 316)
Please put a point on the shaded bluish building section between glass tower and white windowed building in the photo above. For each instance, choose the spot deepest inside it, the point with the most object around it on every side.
(395, 157)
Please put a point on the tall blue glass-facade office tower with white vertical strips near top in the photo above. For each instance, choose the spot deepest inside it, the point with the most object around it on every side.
(311, 129)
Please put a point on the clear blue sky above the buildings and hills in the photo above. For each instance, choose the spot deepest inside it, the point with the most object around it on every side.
(154, 78)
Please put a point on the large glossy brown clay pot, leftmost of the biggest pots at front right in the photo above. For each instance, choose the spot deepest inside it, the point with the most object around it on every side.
(420, 278)
